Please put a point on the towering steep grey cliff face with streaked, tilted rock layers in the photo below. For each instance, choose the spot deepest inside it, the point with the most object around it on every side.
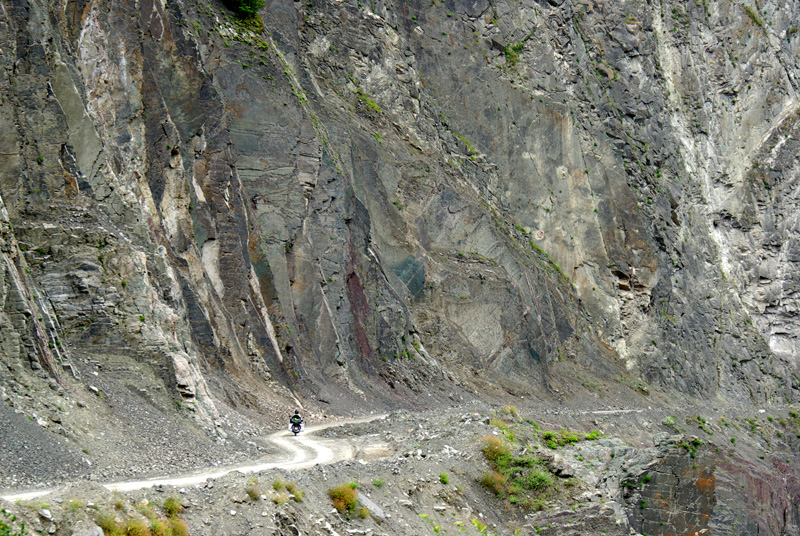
(400, 203)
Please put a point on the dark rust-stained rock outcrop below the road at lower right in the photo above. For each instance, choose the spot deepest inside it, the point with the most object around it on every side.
(686, 486)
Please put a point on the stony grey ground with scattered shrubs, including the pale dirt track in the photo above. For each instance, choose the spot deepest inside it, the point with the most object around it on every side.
(397, 463)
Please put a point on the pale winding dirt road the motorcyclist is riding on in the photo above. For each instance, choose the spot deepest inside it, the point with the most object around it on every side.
(303, 451)
